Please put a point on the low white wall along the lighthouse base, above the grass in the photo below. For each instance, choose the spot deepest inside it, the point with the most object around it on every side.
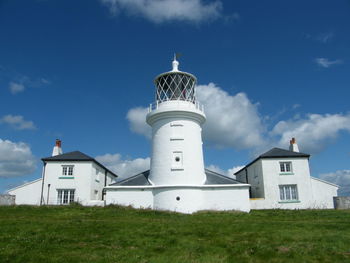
(191, 198)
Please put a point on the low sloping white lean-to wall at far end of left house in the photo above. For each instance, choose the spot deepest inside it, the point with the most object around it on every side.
(28, 193)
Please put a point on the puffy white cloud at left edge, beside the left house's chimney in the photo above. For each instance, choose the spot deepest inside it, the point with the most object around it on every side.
(16, 159)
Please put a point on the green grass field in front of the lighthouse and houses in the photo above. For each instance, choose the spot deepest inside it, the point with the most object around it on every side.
(117, 234)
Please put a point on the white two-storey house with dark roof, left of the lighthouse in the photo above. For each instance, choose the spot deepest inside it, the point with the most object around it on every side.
(66, 178)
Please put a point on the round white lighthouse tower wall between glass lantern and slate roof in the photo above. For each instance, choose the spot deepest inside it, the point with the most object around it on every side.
(176, 130)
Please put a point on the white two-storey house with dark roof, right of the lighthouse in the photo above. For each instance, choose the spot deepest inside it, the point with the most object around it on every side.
(281, 179)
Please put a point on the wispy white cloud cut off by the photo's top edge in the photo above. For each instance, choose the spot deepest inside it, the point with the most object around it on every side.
(159, 11)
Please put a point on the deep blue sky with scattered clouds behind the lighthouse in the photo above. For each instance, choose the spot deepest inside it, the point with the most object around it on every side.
(82, 71)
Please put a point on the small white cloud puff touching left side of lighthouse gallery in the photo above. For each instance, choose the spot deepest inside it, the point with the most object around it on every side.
(137, 121)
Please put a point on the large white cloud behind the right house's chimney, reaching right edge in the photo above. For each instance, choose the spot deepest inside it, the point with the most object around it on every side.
(313, 132)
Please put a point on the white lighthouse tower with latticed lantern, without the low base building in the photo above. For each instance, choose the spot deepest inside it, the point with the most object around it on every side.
(176, 119)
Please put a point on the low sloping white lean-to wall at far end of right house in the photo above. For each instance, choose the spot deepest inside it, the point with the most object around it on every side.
(323, 194)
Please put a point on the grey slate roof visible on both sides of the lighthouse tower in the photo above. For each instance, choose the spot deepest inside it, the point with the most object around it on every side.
(141, 179)
